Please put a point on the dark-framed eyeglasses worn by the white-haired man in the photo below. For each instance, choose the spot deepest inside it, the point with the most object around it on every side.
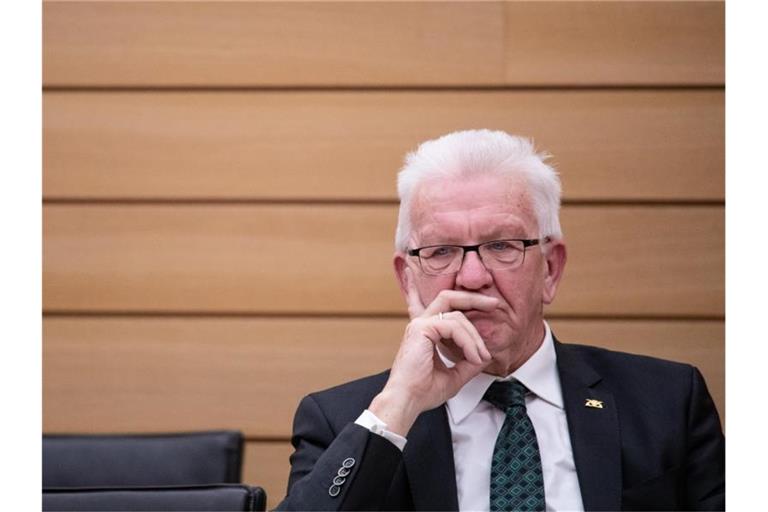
(495, 255)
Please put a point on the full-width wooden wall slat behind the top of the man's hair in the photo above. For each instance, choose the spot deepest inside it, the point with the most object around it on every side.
(615, 145)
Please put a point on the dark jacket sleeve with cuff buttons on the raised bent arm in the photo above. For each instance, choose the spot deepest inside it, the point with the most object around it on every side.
(348, 470)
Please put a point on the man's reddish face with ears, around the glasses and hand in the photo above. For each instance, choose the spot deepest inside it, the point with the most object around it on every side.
(473, 211)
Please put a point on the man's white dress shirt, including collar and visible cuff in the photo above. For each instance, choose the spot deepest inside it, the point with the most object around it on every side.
(475, 424)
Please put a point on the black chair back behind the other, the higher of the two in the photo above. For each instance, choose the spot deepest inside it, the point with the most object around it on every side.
(197, 458)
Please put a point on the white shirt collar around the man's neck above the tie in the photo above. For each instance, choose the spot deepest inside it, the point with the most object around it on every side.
(538, 374)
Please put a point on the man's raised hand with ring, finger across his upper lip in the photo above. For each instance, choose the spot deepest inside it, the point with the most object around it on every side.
(419, 379)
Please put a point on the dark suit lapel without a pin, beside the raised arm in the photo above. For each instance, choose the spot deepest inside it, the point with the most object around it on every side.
(428, 458)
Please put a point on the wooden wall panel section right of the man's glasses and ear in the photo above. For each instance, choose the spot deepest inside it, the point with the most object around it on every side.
(653, 261)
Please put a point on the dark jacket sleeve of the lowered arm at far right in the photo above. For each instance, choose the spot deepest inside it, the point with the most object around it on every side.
(705, 461)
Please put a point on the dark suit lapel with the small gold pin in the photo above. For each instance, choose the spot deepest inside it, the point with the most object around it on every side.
(594, 431)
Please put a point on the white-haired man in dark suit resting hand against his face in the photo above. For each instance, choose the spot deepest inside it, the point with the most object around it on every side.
(483, 409)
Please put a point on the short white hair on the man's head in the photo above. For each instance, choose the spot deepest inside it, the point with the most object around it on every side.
(476, 153)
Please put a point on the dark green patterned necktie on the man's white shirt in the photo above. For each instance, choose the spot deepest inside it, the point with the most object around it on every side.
(516, 479)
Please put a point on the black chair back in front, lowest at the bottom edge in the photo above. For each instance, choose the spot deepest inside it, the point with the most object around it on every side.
(210, 497)
